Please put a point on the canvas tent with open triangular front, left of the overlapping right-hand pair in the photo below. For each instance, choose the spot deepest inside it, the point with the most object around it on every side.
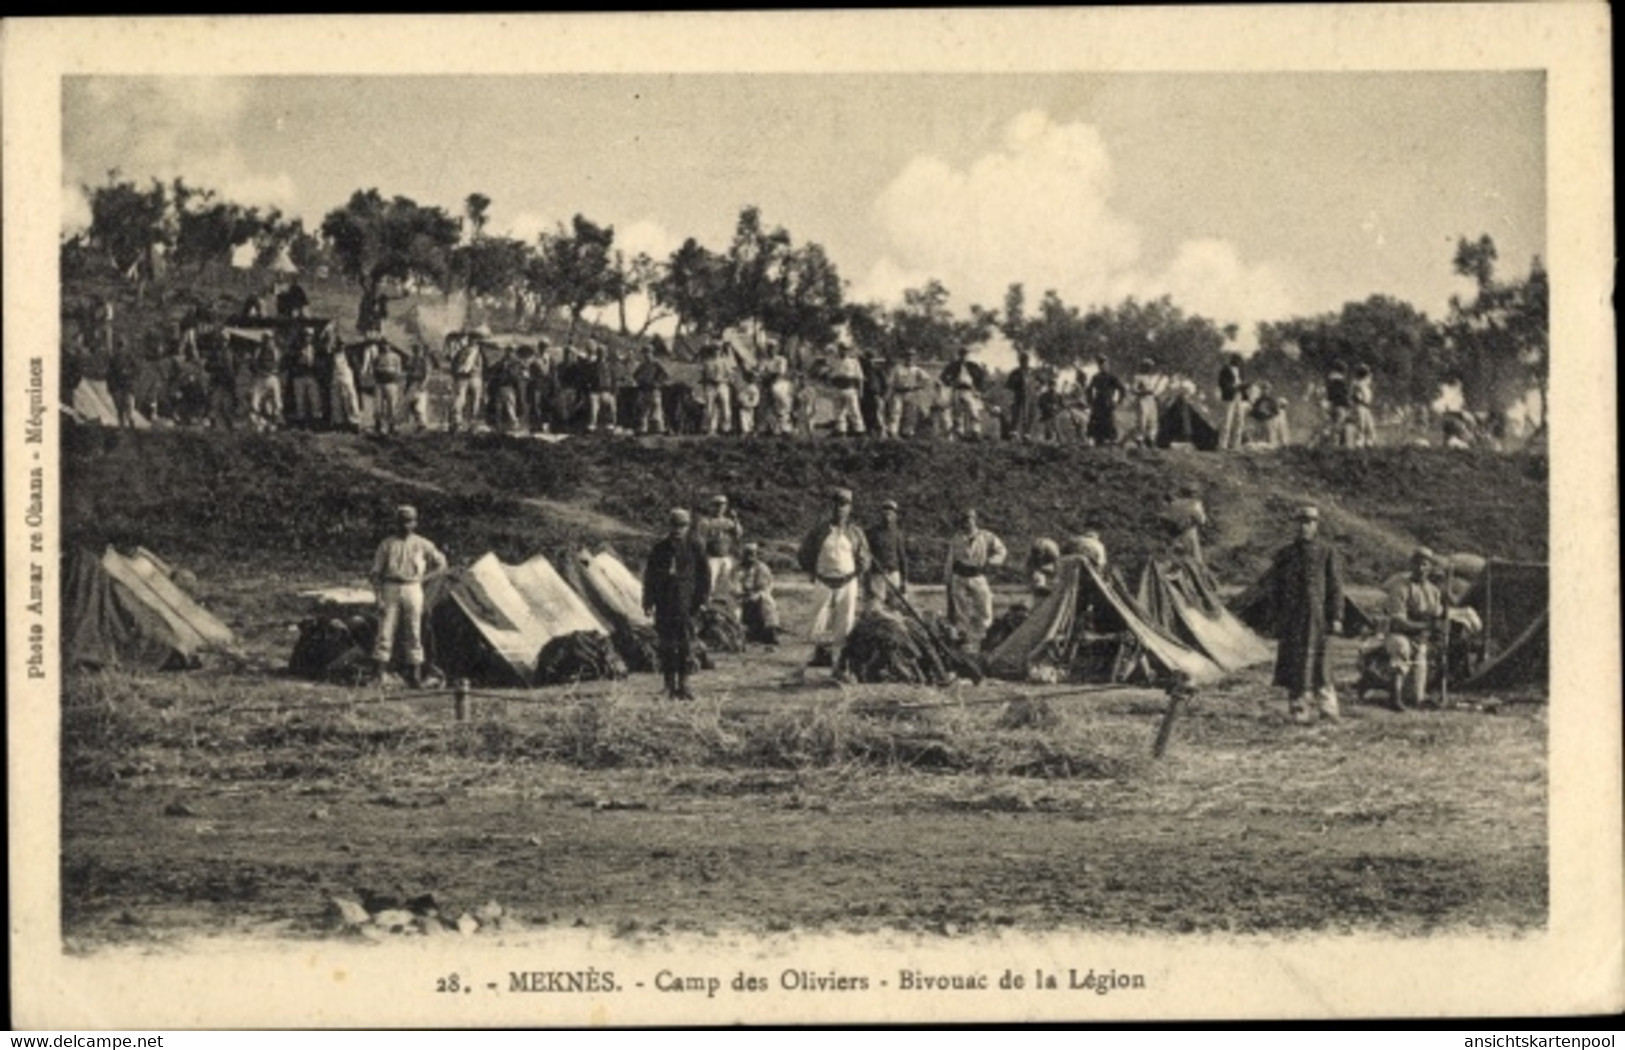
(1086, 628)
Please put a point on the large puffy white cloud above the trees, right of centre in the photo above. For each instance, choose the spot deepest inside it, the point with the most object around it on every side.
(1039, 210)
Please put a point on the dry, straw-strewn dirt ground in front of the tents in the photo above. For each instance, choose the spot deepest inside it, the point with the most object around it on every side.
(240, 802)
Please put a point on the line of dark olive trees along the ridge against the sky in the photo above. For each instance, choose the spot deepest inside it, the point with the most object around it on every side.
(768, 287)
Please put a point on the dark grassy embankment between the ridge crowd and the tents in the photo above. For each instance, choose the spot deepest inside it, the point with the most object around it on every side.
(323, 500)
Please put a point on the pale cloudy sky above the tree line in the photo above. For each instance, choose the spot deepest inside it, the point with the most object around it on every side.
(1246, 196)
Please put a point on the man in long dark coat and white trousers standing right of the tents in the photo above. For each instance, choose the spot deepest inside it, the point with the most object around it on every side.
(1307, 581)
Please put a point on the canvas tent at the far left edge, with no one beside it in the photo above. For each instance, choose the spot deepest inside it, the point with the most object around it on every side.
(126, 610)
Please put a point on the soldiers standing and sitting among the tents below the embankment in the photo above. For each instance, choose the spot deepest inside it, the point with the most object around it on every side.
(704, 557)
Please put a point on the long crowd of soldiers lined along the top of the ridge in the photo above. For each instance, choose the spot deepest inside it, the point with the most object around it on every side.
(287, 370)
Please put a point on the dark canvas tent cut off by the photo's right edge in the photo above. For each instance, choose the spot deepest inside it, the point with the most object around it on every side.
(1514, 602)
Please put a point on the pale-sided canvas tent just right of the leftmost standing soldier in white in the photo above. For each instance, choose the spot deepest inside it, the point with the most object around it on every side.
(492, 620)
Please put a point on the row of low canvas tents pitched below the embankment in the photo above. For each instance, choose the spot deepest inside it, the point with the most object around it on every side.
(493, 623)
